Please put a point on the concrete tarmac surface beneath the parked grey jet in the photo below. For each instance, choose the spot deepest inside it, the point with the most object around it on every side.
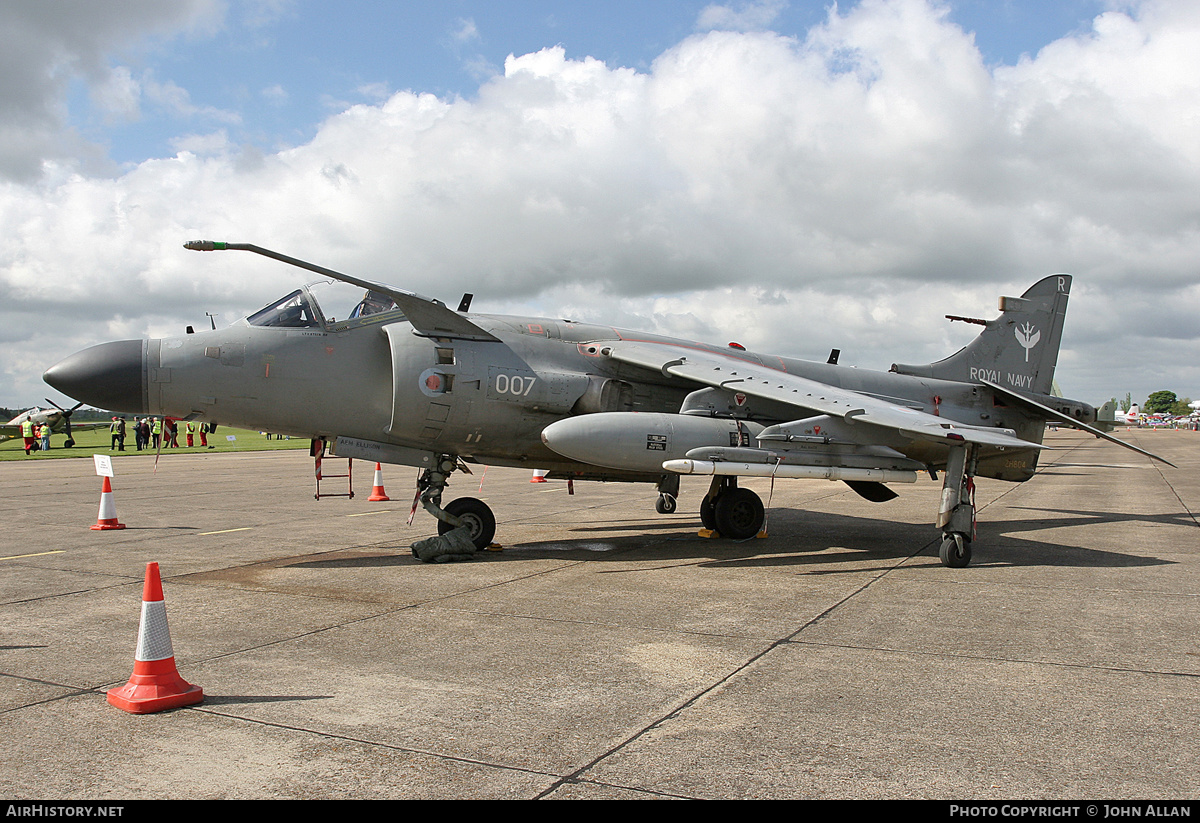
(608, 652)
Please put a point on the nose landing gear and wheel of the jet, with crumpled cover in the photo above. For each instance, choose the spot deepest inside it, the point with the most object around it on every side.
(465, 526)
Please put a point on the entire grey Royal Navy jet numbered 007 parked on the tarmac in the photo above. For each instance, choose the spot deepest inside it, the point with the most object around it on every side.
(406, 380)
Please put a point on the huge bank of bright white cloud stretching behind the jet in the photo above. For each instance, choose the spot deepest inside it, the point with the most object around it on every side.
(844, 191)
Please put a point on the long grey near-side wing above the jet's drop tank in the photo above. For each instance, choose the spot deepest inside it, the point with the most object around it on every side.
(809, 398)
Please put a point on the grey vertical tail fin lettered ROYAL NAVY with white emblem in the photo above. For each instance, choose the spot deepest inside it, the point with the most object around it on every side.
(1018, 350)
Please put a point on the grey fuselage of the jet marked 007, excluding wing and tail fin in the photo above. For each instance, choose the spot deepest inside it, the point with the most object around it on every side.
(487, 401)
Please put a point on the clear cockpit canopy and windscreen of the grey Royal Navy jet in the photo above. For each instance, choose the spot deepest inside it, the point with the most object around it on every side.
(341, 307)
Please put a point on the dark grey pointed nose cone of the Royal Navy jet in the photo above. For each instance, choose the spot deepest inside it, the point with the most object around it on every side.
(110, 376)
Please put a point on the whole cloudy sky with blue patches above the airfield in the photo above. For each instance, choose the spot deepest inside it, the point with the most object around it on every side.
(794, 176)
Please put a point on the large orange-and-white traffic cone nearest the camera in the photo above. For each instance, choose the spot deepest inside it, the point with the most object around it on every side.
(155, 684)
